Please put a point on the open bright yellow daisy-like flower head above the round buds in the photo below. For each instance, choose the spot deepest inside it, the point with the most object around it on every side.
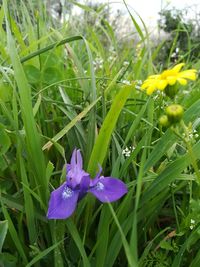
(168, 77)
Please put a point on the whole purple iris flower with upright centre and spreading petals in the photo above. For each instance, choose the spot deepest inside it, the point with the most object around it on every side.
(64, 199)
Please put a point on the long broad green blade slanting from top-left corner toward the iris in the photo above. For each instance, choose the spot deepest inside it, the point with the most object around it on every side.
(32, 136)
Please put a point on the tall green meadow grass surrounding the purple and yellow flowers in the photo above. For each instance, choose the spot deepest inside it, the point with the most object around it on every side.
(62, 88)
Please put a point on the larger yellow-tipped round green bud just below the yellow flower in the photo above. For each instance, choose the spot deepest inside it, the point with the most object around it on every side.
(174, 113)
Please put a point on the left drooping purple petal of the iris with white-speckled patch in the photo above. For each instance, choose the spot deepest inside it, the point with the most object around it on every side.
(62, 202)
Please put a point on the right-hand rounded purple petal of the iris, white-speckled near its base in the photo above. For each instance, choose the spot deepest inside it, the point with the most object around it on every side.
(108, 189)
